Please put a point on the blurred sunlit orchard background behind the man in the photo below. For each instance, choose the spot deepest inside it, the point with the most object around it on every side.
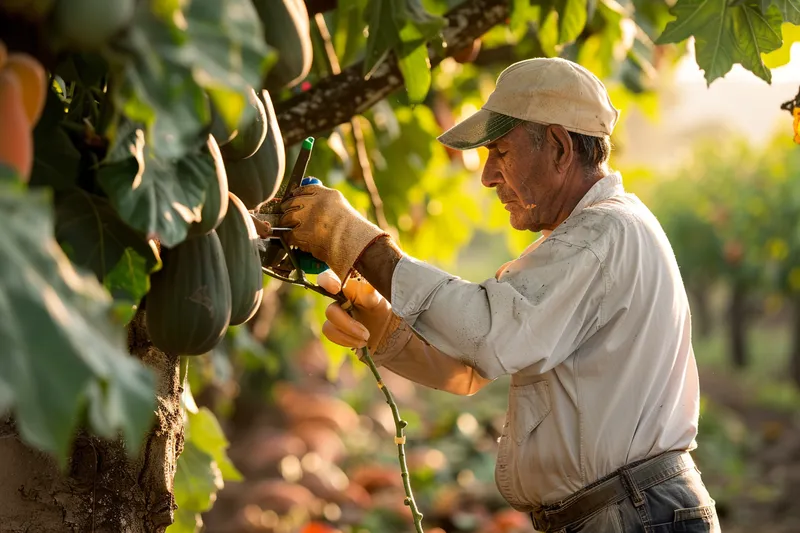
(311, 433)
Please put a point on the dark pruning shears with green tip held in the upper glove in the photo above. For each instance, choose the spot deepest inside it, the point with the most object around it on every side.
(276, 254)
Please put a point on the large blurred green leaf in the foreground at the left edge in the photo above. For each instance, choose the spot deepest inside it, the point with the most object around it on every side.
(59, 347)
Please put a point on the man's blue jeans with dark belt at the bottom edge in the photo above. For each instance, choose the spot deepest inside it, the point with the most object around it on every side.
(664, 494)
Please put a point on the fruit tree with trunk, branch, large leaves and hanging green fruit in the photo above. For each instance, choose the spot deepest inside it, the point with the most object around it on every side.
(131, 243)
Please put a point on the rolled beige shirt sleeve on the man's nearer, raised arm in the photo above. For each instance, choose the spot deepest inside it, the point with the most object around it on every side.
(543, 306)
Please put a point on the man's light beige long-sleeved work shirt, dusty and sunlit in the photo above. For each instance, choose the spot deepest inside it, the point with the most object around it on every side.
(593, 324)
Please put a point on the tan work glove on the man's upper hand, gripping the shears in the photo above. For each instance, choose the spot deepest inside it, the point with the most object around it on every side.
(324, 224)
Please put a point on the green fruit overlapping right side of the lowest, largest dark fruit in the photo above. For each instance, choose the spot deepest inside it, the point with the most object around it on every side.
(239, 240)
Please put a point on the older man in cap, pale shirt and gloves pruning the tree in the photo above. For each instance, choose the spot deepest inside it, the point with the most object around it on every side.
(591, 321)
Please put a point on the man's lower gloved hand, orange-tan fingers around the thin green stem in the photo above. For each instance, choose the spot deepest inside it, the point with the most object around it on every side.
(373, 320)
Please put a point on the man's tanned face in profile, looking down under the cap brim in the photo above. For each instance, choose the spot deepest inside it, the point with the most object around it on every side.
(534, 185)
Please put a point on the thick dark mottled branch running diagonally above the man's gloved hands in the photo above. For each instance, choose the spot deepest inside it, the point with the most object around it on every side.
(336, 99)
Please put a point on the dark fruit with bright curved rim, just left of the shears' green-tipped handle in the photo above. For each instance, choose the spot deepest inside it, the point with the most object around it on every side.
(256, 179)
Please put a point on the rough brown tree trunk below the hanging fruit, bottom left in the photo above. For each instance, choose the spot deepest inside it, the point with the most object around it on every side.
(101, 489)
